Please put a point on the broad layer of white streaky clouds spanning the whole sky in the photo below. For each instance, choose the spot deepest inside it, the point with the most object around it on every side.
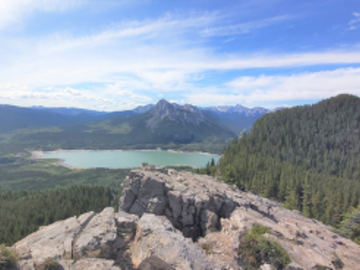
(177, 55)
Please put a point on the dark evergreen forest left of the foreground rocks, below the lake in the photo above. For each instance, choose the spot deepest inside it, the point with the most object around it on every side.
(22, 213)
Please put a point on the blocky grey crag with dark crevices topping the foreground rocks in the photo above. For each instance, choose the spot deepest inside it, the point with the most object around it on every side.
(194, 204)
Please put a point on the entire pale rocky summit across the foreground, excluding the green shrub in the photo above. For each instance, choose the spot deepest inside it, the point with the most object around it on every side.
(179, 220)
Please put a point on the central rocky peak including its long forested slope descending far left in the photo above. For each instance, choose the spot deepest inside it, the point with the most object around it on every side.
(165, 123)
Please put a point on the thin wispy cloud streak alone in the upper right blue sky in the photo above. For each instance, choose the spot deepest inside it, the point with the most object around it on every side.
(242, 28)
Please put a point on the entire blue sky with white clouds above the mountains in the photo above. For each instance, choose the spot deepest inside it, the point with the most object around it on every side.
(114, 55)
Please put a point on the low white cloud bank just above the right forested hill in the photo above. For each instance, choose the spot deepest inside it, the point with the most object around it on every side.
(266, 89)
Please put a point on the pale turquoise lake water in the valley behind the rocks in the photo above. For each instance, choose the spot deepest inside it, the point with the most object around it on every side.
(129, 159)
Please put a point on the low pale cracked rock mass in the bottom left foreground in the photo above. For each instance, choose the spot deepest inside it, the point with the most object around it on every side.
(98, 239)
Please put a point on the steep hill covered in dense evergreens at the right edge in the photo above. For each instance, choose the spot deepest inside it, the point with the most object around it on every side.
(307, 157)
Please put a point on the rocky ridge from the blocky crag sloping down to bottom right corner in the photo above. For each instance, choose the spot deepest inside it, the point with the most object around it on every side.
(199, 206)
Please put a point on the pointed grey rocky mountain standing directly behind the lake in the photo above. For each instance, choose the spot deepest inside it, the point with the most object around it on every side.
(168, 123)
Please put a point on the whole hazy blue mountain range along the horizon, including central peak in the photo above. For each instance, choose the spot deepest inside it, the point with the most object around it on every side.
(164, 121)
